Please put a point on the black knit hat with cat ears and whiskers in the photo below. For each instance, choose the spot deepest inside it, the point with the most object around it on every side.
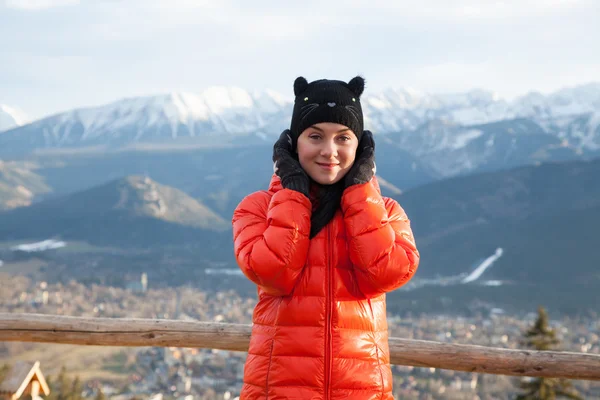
(327, 101)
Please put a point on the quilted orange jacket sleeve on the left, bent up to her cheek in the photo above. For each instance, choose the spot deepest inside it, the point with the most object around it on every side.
(271, 238)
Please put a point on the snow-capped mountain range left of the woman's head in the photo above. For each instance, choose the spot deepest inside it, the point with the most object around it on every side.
(217, 112)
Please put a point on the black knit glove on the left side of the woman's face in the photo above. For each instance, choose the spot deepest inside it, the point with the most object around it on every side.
(287, 167)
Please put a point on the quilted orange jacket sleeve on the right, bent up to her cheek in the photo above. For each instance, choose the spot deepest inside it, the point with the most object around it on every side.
(382, 247)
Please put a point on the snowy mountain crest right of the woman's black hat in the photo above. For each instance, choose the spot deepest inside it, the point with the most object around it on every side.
(402, 110)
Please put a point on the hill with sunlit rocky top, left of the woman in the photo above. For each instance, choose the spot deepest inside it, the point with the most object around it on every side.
(128, 211)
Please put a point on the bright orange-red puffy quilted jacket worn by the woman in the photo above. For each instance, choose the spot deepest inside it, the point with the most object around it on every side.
(319, 328)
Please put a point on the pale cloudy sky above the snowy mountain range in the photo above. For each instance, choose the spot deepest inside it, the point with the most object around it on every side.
(57, 55)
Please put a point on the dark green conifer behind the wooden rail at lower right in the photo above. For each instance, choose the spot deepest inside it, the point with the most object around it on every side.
(540, 336)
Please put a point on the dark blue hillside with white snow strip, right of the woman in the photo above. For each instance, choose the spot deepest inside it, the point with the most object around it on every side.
(522, 235)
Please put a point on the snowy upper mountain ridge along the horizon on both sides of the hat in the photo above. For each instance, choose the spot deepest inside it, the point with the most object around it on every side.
(221, 112)
